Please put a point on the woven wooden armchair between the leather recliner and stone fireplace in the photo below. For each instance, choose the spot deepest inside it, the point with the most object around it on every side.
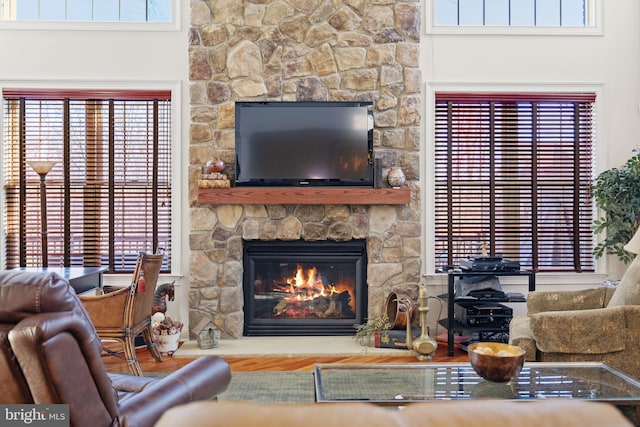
(125, 313)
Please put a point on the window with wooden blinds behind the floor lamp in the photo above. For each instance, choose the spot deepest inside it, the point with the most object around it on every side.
(109, 195)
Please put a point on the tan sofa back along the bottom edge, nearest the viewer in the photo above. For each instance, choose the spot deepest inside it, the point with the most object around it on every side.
(469, 413)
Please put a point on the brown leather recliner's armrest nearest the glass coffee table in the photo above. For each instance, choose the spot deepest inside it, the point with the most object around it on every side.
(202, 379)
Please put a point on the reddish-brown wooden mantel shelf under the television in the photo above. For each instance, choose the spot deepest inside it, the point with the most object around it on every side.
(304, 196)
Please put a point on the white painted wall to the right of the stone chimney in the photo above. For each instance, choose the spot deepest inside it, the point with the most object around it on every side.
(608, 63)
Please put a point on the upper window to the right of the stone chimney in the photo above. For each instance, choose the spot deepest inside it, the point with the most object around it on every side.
(508, 13)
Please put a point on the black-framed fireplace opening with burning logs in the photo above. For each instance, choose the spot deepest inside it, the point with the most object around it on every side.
(304, 288)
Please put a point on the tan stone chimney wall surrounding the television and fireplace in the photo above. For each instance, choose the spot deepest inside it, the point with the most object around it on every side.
(301, 50)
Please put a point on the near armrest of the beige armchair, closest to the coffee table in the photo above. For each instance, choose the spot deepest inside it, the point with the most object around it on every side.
(594, 331)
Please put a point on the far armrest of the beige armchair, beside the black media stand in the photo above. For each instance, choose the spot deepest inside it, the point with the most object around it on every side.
(583, 299)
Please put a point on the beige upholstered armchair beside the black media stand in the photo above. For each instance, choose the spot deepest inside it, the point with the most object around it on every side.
(600, 324)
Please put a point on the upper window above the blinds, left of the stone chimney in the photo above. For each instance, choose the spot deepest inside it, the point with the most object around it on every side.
(87, 10)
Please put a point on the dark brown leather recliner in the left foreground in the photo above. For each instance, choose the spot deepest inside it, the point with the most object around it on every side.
(50, 354)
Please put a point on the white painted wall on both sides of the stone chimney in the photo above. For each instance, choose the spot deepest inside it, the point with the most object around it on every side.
(609, 62)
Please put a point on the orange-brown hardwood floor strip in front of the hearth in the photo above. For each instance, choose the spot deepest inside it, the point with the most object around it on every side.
(244, 364)
